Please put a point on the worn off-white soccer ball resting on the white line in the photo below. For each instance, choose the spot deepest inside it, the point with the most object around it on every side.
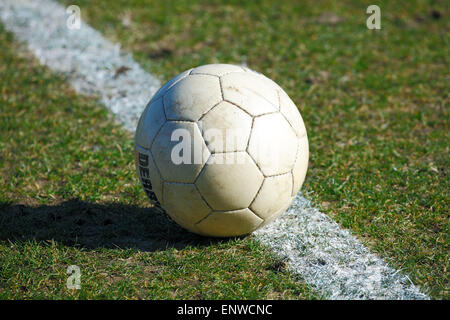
(222, 149)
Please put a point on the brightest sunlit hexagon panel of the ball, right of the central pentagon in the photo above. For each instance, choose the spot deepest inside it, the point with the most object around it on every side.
(273, 144)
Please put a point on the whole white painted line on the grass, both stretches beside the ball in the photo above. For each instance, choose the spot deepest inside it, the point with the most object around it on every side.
(322, 254)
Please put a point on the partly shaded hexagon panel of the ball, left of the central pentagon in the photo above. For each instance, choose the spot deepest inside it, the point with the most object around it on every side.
(182, 159)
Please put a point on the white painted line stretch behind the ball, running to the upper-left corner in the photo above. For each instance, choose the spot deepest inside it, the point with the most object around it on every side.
(89, 61)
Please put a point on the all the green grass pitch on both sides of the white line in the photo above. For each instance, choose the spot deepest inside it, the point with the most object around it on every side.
(375, 104)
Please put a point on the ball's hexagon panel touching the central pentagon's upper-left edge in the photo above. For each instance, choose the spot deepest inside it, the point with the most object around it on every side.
(191, 97)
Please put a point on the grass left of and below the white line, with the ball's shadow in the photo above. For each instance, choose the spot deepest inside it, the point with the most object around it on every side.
(70, 196)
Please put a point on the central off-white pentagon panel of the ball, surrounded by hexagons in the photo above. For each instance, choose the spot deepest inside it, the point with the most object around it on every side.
(226, 128)
